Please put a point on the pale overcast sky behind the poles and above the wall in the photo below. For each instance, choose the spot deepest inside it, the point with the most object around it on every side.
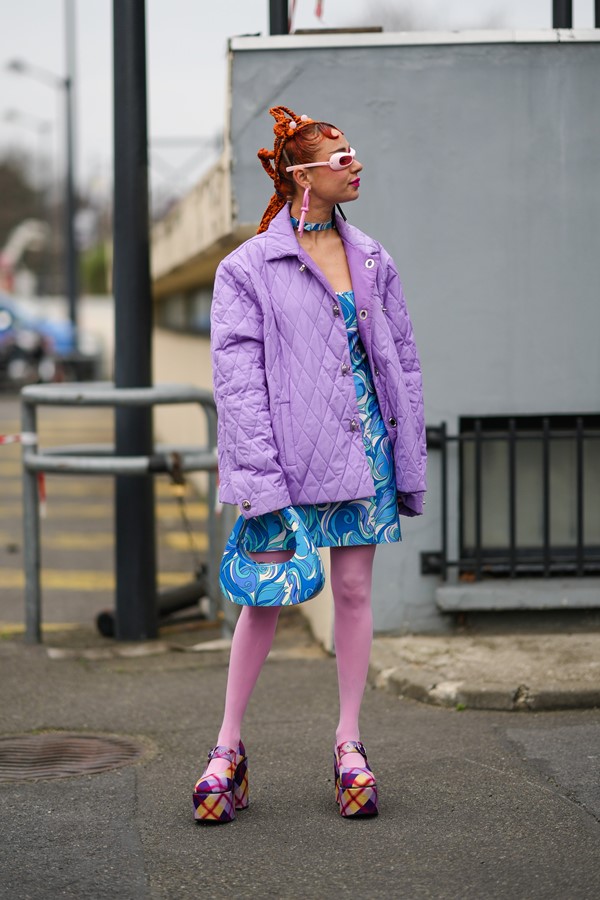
(186, 66)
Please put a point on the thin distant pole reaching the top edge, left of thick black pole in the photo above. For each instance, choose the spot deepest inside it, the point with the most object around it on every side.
(72, 262)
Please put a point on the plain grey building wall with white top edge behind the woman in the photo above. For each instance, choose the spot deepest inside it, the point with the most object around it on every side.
(481, 177)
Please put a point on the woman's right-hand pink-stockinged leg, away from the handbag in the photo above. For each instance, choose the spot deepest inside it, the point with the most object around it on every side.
(351, 578)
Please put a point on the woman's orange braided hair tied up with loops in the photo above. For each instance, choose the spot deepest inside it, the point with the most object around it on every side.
(287, 127)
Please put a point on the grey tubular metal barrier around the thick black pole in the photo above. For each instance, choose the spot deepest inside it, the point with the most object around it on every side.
(99, 459)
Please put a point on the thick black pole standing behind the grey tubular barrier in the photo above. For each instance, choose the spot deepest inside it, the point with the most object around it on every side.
(134, 496)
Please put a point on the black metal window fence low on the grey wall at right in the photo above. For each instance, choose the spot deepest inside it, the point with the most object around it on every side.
(516, 554)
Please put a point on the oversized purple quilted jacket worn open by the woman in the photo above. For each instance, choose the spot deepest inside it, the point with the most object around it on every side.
(289, 430)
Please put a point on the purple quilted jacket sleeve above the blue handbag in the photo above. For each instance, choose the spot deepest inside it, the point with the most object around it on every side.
(246, 440)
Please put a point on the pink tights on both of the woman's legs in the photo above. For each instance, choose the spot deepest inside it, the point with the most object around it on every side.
(351, 577)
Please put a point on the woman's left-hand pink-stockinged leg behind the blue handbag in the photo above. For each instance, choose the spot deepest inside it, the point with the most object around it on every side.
(252, 640)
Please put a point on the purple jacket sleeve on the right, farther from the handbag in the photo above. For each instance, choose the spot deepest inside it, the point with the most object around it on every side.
(410, 504)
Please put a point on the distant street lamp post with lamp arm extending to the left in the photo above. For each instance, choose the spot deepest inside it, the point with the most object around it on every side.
(21, 67)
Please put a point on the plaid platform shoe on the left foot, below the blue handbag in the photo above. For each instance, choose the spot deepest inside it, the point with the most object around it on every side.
(217, 796)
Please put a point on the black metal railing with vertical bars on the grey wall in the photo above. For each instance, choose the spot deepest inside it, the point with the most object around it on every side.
(515, 557)
